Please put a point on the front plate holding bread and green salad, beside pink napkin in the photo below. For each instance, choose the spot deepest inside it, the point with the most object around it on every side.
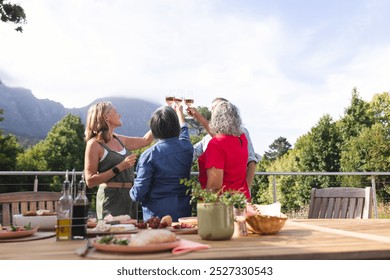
(147, 241)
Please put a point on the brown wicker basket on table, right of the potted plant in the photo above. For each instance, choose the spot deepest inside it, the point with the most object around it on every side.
(265, 224)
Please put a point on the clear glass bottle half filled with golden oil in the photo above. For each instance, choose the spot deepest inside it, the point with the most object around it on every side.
(64, 212)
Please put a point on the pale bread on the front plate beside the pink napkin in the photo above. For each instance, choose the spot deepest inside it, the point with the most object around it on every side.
(148, 237)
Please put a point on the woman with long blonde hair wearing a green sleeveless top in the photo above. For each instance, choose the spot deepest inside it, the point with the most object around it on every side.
(108, 161)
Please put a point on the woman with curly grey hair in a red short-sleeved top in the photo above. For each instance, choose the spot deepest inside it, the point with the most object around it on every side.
(223, 165)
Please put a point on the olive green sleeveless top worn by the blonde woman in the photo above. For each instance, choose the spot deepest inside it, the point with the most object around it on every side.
(113, 158)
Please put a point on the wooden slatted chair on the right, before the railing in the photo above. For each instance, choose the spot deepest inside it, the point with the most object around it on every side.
(341, 203)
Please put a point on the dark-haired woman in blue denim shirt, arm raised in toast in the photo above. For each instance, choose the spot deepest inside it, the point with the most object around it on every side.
(161, 167)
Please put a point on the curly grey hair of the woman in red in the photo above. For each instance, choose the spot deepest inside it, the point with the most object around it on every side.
(226, 119)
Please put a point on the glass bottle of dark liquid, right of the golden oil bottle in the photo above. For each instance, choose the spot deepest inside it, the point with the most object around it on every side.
(80, 212)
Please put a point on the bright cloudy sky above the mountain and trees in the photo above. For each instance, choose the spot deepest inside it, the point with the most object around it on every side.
(283, 63)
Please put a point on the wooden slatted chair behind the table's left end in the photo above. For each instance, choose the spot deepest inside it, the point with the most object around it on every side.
(20, 202)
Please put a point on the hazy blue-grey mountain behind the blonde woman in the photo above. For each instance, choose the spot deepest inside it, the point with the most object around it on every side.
(30, 118)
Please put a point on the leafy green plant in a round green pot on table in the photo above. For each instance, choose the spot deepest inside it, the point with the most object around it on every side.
(215, 210)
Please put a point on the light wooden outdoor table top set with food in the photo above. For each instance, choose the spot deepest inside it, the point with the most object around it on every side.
(299, 239)
